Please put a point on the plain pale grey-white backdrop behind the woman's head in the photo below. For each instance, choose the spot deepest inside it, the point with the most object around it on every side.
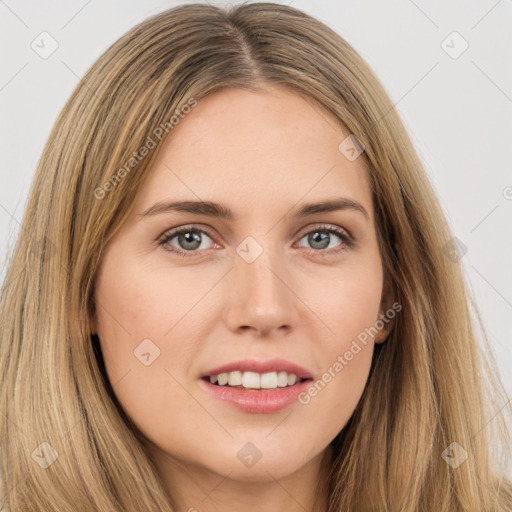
(446, 66)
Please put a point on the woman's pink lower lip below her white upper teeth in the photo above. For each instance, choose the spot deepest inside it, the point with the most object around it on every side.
(258, 401)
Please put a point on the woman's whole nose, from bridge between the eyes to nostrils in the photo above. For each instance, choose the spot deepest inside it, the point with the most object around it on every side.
(260, 294)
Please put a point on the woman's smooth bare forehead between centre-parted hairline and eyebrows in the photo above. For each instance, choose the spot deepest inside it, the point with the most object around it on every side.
(269, 149)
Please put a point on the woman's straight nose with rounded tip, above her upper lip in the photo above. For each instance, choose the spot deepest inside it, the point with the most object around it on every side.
(261, 297)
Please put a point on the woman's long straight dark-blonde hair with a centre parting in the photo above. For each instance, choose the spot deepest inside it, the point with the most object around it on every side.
(430, 384)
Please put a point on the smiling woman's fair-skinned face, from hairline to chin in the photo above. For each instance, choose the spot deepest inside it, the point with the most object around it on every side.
(264, 284)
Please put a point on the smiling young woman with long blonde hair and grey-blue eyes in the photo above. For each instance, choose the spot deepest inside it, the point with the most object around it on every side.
(177, 334)
